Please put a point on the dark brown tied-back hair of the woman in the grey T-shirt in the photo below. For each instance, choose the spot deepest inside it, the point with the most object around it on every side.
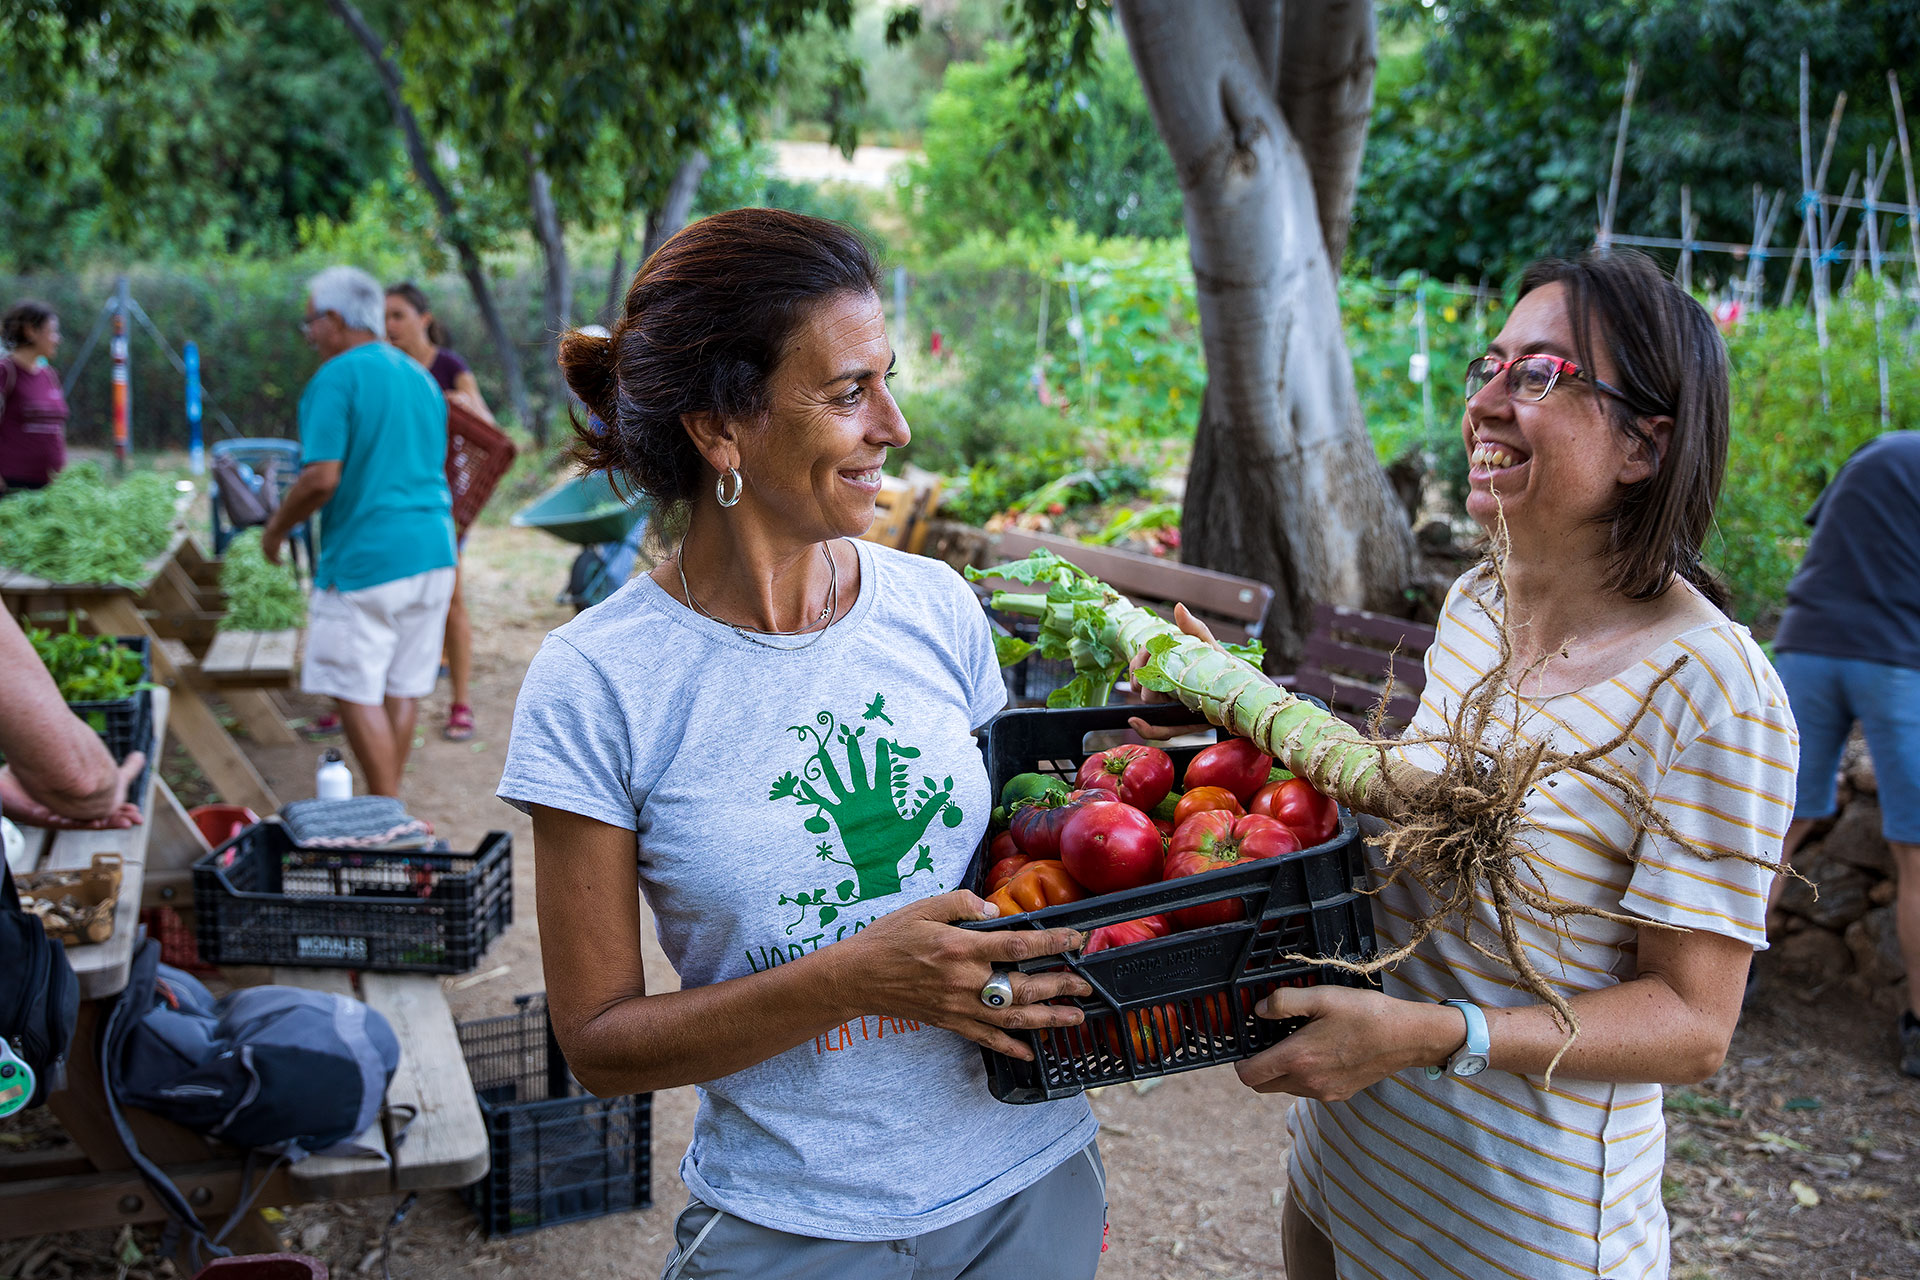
(704, 329)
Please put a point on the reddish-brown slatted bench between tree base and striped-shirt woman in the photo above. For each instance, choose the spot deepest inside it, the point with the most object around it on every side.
(1351, 657)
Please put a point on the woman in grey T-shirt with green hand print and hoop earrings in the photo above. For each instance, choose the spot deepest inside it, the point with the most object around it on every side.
(771, 738)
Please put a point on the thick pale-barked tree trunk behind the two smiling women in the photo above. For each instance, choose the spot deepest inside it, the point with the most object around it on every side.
(1284, 483)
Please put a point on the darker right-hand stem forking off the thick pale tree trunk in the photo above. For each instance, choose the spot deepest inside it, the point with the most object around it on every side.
(1326, 93)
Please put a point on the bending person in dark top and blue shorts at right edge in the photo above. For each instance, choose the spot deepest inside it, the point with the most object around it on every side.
(1850, 653)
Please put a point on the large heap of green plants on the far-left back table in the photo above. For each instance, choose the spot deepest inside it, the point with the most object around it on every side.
(80, 531)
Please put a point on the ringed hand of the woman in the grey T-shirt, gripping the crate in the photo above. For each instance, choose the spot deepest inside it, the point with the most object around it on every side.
(915, 964)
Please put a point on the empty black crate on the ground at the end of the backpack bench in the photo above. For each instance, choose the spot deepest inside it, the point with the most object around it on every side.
(560, 1154)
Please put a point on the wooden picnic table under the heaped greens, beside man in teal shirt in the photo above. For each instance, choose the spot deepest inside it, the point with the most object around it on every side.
(180, 607)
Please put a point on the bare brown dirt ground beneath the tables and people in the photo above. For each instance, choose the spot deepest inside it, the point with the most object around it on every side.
(1197, 1164)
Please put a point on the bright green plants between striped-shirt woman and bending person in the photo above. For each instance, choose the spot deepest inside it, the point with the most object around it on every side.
(1788, 446)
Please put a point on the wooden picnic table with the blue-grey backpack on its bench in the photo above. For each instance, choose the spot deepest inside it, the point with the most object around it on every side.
(95, 1185)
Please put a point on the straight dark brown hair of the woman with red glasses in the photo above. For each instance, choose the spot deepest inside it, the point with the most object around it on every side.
(1669, 362)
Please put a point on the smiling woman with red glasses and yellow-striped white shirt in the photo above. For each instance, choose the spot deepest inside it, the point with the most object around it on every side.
(1428, 1141)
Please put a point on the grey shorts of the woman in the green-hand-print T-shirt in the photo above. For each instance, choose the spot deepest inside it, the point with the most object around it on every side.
(1053, 1229)
